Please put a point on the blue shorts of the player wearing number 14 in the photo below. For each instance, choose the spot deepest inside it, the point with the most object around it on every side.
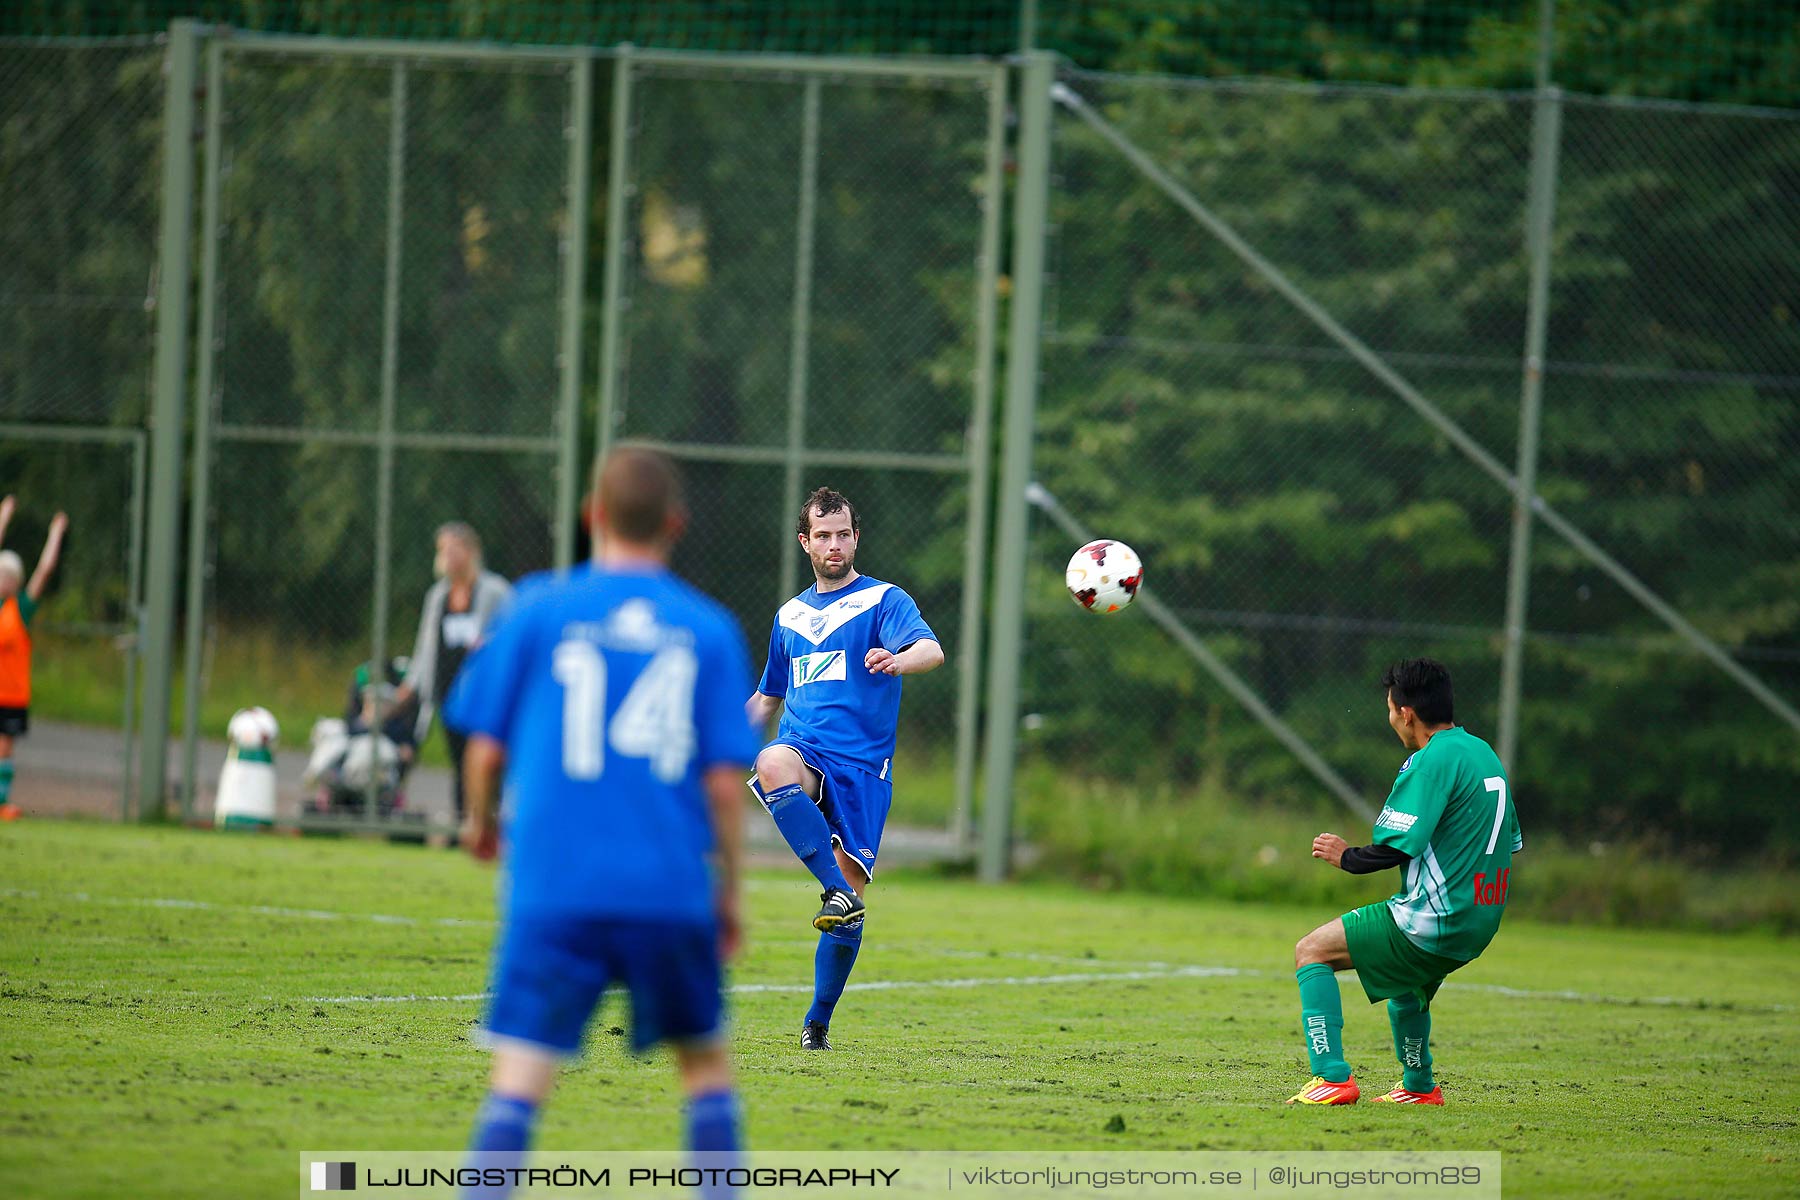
(552, 972)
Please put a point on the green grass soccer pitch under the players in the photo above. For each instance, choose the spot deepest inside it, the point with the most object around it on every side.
(172, 1016)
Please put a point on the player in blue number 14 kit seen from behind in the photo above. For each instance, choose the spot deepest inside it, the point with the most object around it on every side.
(613, 703)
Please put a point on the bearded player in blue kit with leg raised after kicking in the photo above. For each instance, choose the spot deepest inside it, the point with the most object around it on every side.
(836, 658)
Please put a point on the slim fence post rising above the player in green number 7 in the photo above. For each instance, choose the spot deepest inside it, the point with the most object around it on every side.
(1547, 143)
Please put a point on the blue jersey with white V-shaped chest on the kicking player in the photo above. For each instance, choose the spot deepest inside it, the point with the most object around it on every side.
(816, 650)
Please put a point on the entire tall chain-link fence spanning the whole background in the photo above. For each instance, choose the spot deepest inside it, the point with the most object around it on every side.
(1286, 355)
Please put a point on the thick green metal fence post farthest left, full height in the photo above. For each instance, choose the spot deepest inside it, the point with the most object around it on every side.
(170, 386)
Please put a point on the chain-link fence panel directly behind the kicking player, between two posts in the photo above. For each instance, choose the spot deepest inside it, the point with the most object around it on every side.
(805, 298)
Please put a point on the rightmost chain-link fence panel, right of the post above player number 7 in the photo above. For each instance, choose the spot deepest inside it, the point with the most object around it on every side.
(1671, 434)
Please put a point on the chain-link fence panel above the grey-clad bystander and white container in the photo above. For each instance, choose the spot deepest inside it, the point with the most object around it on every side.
(386, 300)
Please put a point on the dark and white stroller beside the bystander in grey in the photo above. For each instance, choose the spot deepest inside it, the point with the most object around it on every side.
(352, 757)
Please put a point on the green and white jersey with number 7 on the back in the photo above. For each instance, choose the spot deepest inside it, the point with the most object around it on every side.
(1452, 812)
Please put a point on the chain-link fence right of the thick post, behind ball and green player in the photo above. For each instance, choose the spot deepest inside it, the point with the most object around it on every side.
(1210, 406)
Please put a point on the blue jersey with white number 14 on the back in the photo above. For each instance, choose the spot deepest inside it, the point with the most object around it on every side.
(613, 694)
